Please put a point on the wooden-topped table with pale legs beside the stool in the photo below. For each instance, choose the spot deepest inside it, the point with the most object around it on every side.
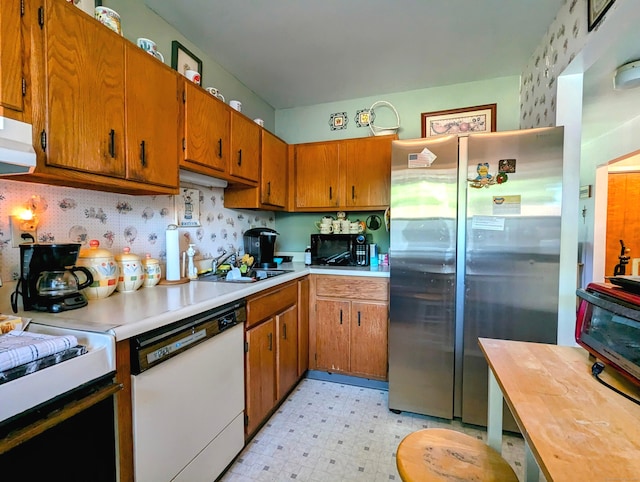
(575, 429)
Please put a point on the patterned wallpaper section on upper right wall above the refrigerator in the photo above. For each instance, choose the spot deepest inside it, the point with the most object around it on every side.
(565, 37)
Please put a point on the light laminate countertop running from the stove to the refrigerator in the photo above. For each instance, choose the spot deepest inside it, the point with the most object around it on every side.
(129, 314)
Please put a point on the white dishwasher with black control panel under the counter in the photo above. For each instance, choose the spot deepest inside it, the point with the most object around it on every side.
(188, 396)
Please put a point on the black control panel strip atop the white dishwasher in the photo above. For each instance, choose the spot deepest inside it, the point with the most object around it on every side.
(151, 348)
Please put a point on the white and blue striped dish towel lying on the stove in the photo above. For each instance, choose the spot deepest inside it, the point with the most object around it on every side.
(20, 347)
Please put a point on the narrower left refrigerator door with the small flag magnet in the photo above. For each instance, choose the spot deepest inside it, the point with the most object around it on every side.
(423, 270)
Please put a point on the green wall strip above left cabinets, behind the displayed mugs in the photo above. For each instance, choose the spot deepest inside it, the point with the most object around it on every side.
(140, 21)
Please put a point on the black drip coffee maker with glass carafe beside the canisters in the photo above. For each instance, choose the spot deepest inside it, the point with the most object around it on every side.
(48, 280)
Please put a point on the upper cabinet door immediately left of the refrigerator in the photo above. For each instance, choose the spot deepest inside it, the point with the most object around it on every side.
(367, 167)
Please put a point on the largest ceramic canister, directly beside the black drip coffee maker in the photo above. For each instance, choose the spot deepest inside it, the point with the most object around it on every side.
(103, 267)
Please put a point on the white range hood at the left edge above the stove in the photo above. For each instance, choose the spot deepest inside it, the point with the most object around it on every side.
(16, 149)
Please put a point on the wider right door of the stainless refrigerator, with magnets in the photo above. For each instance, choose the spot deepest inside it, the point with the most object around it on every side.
(512, 250)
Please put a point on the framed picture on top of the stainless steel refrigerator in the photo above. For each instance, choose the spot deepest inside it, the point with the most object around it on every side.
(479, 118)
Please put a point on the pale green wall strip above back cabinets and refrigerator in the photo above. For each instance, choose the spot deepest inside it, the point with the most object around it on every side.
(311, 123)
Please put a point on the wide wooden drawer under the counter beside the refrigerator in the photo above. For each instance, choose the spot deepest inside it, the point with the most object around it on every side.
(353, 287)
